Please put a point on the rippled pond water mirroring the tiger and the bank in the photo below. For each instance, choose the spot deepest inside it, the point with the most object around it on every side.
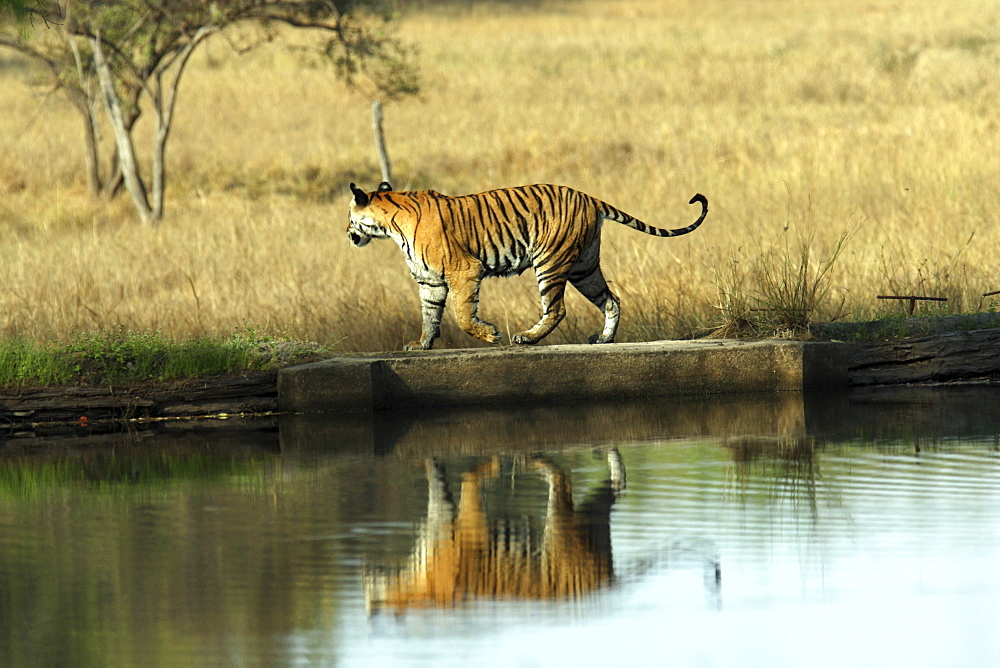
(854, 529)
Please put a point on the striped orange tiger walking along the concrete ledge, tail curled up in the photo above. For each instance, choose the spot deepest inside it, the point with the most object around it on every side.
(452, 243)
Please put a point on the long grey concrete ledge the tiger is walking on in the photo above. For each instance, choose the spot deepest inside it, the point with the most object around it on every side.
(550, 374)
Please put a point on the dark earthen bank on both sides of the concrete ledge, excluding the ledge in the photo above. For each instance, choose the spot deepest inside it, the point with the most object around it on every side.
(945, 354)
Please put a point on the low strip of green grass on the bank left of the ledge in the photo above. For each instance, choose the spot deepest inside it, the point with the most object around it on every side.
(103, 358)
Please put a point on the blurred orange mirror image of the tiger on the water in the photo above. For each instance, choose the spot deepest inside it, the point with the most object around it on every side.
(461, 554)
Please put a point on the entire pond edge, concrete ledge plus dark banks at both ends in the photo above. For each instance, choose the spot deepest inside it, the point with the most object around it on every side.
(496, 376)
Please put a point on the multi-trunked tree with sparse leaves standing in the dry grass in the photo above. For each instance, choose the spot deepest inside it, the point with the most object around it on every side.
(129, 56)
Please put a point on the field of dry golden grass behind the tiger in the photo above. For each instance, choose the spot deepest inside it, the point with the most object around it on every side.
(802, 123)
